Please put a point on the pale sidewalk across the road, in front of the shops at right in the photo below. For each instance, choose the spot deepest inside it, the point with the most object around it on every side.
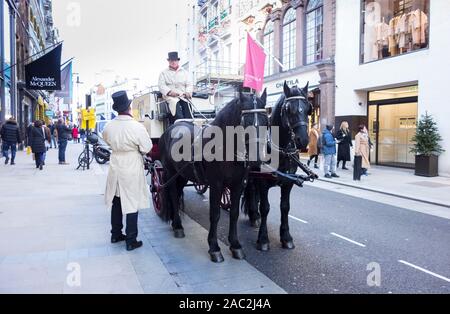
(396, 182)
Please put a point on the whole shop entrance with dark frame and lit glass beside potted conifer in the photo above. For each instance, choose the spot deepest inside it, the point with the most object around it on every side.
(392, 125)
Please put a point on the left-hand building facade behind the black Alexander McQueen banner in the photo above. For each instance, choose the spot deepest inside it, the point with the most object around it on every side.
(27, 30)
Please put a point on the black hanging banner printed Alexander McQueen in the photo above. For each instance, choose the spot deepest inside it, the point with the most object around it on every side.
(45, 72)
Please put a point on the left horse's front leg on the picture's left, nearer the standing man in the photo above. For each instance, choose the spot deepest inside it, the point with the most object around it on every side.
(215, 195)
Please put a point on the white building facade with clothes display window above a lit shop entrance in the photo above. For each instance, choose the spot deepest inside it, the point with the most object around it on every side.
(389, 61)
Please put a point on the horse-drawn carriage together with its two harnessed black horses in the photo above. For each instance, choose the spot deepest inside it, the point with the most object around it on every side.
(228, 181)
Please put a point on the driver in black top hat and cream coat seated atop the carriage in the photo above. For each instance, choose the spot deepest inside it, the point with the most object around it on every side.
(174, 84)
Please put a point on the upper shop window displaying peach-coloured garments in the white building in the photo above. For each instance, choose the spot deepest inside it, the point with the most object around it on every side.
(394, 27)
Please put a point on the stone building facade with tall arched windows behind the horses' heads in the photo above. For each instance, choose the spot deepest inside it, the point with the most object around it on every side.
(301, 35)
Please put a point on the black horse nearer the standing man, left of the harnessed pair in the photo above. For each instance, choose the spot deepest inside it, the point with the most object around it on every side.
(244, 111)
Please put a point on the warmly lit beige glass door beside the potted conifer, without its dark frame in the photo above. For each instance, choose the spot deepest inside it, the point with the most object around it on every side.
(396, 128)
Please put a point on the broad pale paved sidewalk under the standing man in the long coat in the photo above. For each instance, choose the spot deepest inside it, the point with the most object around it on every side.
(54, 222)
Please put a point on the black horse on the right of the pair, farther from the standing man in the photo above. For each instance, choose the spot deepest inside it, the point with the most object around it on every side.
(290, 115)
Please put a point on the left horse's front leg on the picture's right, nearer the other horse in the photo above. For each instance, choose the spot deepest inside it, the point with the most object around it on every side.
(235, 246)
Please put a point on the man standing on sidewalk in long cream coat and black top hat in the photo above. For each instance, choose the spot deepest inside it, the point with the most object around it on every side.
(126, 189)
